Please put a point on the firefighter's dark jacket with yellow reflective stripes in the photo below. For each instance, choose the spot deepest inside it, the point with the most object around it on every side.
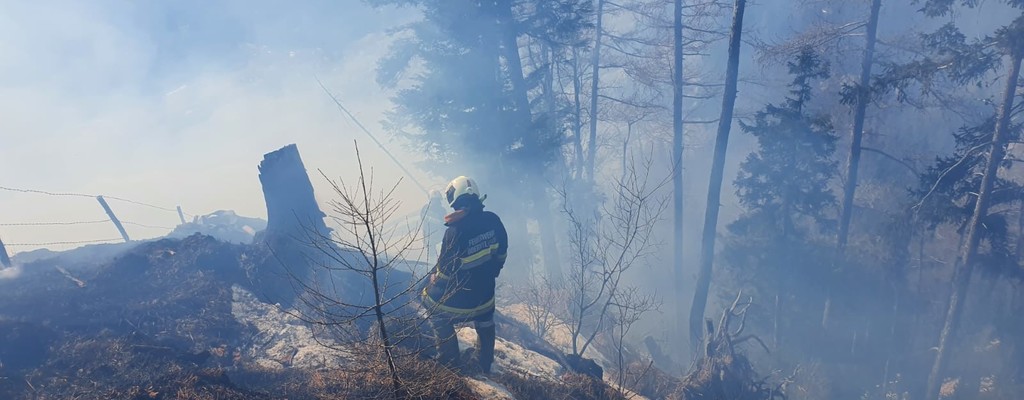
(473, 255)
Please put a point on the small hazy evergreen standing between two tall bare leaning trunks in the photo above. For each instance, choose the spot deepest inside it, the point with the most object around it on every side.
(784, 188)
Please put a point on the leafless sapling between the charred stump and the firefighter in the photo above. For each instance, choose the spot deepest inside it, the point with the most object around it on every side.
(370, 255)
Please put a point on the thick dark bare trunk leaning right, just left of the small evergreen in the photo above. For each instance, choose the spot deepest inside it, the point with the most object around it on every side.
(715, 186)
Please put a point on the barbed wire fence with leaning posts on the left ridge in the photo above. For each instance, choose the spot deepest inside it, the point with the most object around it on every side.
(112, 219)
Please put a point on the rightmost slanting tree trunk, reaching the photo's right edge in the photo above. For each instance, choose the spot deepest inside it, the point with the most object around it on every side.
(969, 250)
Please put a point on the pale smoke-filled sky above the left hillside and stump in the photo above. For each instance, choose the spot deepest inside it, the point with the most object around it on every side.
(175, 104)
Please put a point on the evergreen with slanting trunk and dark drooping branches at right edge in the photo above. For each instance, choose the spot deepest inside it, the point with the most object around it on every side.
(951, 56)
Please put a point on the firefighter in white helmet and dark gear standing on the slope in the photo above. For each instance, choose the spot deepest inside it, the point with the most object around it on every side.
(461, 287)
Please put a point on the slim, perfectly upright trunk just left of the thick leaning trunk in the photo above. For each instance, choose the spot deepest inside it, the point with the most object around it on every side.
(677, 163)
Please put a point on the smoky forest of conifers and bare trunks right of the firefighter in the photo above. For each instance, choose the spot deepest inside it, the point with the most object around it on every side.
(841, 180)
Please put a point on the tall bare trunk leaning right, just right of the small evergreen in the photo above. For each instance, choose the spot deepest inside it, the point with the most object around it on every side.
(854, 163)
